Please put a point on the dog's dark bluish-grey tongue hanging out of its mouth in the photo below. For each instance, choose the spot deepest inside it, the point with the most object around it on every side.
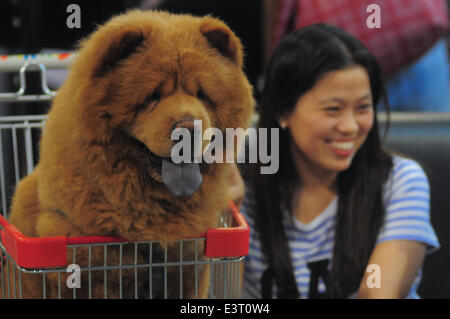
(182, 179)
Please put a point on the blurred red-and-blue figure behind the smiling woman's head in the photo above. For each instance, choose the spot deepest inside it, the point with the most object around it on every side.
(410, 43)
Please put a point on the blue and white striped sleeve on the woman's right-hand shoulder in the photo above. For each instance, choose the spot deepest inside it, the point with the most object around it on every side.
(408, 206)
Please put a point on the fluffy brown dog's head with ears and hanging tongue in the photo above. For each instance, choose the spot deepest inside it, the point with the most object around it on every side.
(149, 73)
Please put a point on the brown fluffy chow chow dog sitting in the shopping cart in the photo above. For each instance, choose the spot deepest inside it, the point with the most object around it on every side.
(108, 131)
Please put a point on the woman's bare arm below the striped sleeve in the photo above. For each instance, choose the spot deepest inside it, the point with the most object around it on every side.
(399, 262)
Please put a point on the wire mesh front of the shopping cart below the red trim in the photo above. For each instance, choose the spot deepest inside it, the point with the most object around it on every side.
(138, 270)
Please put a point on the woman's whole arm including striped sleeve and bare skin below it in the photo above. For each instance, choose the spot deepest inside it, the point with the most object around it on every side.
(405, 235)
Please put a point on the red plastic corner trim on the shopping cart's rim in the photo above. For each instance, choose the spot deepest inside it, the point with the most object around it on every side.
(50, 252)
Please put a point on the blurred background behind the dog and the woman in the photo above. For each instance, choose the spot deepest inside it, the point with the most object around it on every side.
(412, 47)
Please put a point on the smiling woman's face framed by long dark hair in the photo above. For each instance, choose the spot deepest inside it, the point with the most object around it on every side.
(332, 120)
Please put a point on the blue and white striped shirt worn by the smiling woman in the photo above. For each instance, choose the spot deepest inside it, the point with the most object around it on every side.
(406, 198)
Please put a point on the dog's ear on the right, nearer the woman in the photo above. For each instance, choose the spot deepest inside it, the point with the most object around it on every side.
(220, 36)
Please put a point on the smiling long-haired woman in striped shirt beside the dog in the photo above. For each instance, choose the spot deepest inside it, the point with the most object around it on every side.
(339, 202)
